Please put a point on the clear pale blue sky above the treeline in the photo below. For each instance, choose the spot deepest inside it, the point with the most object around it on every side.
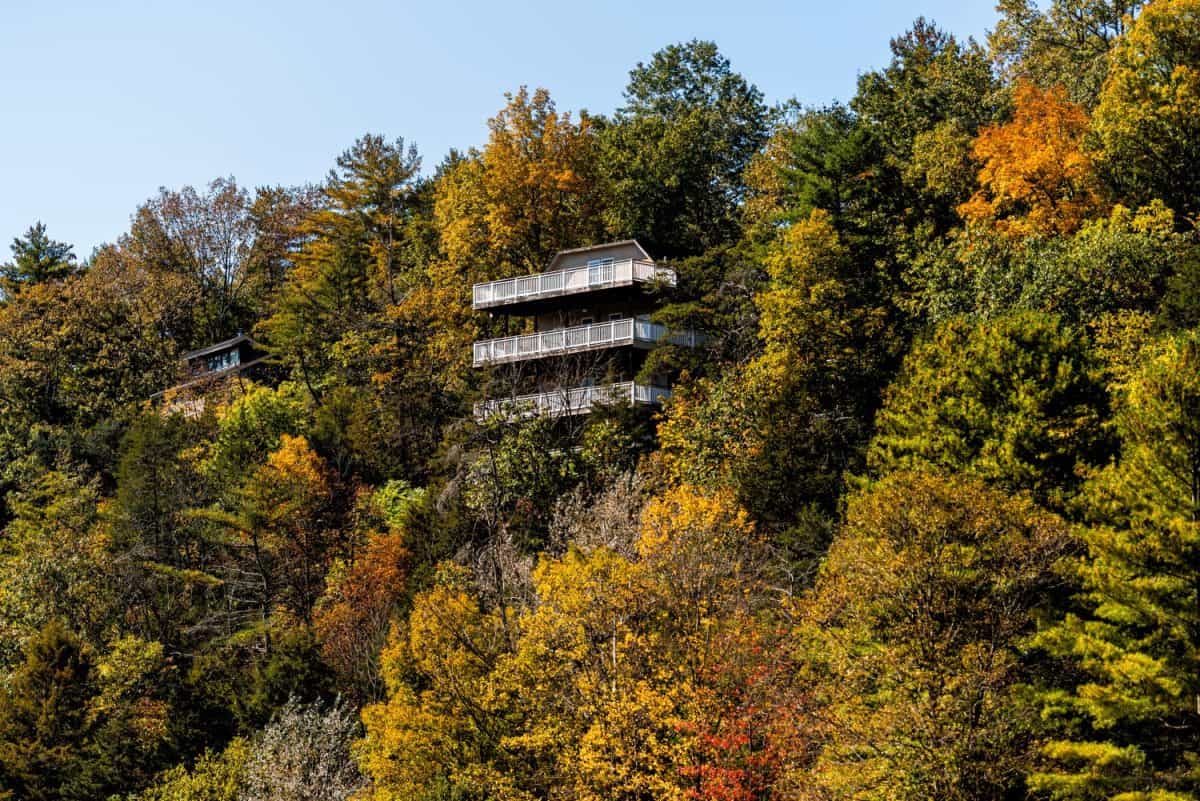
(105, 101)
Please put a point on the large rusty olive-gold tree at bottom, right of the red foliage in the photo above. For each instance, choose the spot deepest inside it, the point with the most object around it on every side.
(920, 616)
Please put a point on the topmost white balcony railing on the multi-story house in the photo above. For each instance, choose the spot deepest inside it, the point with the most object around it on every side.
(569, 282)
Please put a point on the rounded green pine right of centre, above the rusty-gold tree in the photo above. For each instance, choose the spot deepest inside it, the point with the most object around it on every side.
(1016, 401)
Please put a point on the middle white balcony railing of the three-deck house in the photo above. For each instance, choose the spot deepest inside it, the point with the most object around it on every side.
(614, 334)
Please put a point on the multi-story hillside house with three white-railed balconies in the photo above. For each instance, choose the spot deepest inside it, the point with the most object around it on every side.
(592, 332)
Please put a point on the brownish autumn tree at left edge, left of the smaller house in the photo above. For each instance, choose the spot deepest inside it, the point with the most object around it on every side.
(75, 356)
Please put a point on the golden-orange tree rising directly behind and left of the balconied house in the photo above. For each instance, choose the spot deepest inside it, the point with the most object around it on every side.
(507, 210)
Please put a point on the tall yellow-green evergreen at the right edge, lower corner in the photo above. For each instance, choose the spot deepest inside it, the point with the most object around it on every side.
(1133, 730)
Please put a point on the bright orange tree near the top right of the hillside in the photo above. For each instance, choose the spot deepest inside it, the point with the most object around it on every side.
(1036, 177)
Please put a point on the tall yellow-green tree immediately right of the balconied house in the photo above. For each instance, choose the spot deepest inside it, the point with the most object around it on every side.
(784, 429)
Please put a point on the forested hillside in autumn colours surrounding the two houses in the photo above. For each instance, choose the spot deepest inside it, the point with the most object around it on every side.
(921, 521)
